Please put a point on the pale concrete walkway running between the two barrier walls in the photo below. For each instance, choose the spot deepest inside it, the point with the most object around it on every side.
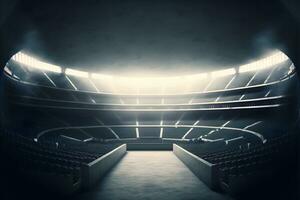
(156, 175)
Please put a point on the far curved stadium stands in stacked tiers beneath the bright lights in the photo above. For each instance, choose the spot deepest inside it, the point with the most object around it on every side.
(211, 97)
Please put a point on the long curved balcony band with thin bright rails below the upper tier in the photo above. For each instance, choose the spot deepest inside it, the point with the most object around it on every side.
(259, 103)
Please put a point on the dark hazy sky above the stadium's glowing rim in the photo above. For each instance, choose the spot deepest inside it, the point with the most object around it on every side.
(152, 36)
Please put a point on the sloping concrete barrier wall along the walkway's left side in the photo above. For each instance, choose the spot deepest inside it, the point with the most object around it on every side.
(93, 171)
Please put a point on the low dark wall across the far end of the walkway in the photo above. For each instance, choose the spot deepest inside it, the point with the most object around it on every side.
(149, 146)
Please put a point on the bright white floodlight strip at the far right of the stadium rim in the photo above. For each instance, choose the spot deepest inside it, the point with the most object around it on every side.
(270, 61)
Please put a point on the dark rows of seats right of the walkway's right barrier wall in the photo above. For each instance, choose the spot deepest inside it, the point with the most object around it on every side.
(241, 167)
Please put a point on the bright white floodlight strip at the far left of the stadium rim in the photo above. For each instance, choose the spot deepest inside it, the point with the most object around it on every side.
(35, 63)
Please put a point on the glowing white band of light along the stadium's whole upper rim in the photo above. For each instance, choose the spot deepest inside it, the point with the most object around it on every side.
(145, 84)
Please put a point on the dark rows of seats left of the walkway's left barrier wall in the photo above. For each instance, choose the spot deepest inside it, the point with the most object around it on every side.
(47, 162)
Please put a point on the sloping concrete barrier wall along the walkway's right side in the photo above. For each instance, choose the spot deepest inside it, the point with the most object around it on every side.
(204, 170)
